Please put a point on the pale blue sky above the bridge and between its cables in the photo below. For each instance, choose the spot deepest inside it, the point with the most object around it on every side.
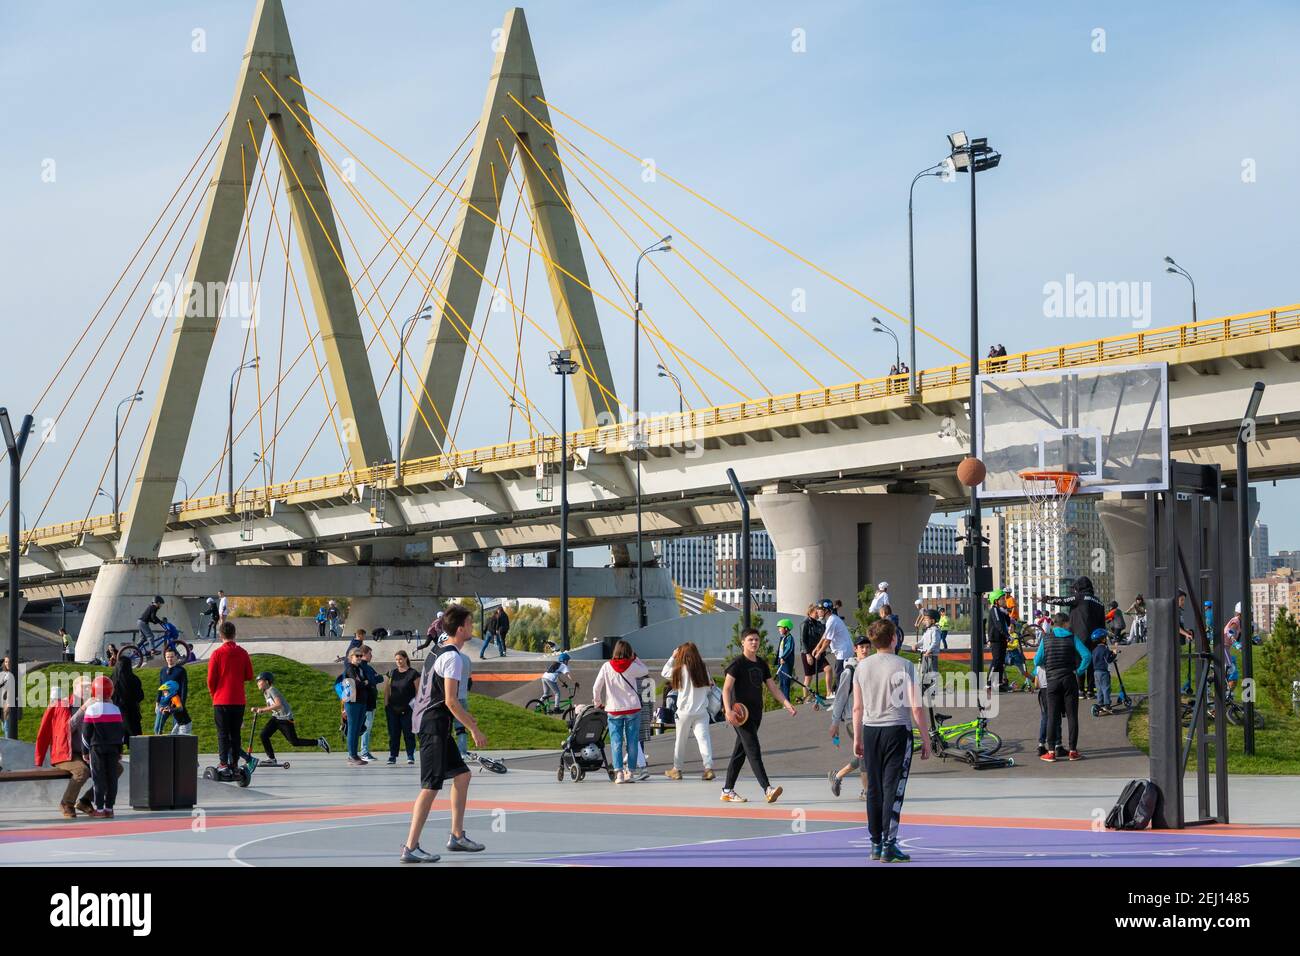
(1112, 161)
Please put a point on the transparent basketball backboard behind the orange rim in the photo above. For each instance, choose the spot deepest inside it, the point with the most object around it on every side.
(1110, 425)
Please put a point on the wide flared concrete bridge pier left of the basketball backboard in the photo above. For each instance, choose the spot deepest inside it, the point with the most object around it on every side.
(830, 546)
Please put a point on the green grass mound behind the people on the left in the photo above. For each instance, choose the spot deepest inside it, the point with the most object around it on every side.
(317, 710)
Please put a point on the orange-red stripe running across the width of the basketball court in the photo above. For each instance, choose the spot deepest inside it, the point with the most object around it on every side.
(125, 828)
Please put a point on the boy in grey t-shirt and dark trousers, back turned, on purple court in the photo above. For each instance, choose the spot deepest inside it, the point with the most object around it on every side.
(886, 703)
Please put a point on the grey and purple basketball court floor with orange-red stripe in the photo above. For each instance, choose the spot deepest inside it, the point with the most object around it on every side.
(326, 815)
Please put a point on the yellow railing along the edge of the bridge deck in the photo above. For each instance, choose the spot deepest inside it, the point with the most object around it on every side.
(674, 429)
